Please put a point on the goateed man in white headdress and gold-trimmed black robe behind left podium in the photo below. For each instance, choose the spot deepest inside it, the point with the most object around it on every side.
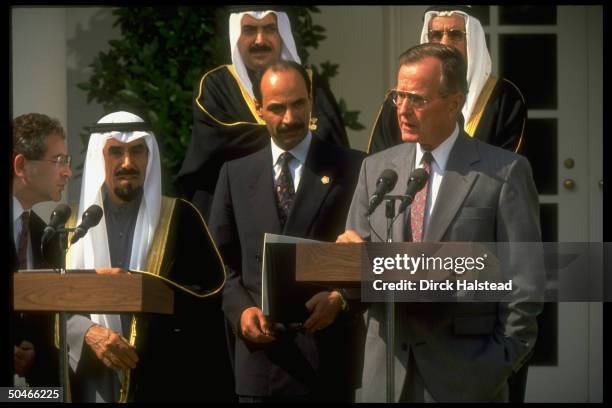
(119, 357)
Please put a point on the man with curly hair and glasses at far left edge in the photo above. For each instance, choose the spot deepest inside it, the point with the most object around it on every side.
(41, 169)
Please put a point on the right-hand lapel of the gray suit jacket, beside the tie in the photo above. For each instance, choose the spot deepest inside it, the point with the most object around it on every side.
(456, 184)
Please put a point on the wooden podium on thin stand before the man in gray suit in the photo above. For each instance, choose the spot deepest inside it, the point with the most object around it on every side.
(342, 266)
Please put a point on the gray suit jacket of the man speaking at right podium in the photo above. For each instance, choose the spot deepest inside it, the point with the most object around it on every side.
(463, 351)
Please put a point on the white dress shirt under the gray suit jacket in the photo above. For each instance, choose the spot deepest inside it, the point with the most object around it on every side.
(438, 166)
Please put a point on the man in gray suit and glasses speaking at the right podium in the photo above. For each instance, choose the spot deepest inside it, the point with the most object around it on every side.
(475, 192)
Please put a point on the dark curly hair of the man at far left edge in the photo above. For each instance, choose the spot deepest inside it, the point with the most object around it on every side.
(30, 132)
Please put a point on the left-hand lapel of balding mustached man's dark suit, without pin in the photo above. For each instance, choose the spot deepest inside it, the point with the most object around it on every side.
(261, 193)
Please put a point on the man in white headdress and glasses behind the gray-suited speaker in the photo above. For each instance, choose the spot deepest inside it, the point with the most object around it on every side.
(494, 110)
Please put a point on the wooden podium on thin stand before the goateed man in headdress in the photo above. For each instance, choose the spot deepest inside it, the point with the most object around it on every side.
(88, 292)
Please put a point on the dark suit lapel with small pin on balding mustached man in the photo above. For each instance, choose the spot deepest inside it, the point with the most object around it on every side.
(315, 183)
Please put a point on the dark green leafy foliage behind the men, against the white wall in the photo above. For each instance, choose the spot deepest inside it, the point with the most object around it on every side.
(163, 51)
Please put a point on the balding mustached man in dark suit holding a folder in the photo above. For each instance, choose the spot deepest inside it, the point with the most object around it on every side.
(299, 186)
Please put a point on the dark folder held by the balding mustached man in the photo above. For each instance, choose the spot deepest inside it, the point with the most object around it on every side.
(282, 299)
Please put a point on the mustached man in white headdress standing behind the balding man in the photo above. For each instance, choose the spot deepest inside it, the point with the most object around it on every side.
(225, 121)
